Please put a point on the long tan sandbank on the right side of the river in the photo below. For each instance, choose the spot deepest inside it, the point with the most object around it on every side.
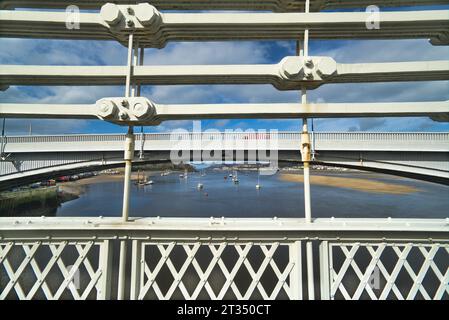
(359, 184)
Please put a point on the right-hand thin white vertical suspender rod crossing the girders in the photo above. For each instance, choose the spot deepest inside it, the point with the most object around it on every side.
(305, 157)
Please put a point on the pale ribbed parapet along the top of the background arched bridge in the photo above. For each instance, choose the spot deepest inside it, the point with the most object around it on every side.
(325, 141)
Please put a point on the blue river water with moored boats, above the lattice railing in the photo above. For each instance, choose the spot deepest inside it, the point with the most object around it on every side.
(171, 196)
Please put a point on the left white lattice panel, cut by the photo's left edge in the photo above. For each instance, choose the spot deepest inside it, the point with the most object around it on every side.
(54, 270)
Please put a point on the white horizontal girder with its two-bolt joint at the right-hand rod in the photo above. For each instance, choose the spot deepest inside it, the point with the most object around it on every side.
(291, 73)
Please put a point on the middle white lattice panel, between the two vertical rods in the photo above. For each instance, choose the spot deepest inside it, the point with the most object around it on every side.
(215, 270)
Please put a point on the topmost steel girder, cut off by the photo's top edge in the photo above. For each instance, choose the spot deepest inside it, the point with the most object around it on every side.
(273, 5)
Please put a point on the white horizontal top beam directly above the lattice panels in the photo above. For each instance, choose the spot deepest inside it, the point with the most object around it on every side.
(214, 227)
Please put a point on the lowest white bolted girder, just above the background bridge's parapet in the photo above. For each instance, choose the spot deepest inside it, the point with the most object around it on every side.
(141, 111)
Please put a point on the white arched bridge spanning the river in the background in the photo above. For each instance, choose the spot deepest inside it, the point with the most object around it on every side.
(419, 155)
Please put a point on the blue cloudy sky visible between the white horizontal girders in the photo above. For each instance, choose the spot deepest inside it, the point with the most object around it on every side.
(44, 52)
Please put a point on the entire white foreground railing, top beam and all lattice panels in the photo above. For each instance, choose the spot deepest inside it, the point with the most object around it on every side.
(195, 258)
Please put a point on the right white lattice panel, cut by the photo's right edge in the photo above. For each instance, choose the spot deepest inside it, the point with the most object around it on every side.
(379, 271)
